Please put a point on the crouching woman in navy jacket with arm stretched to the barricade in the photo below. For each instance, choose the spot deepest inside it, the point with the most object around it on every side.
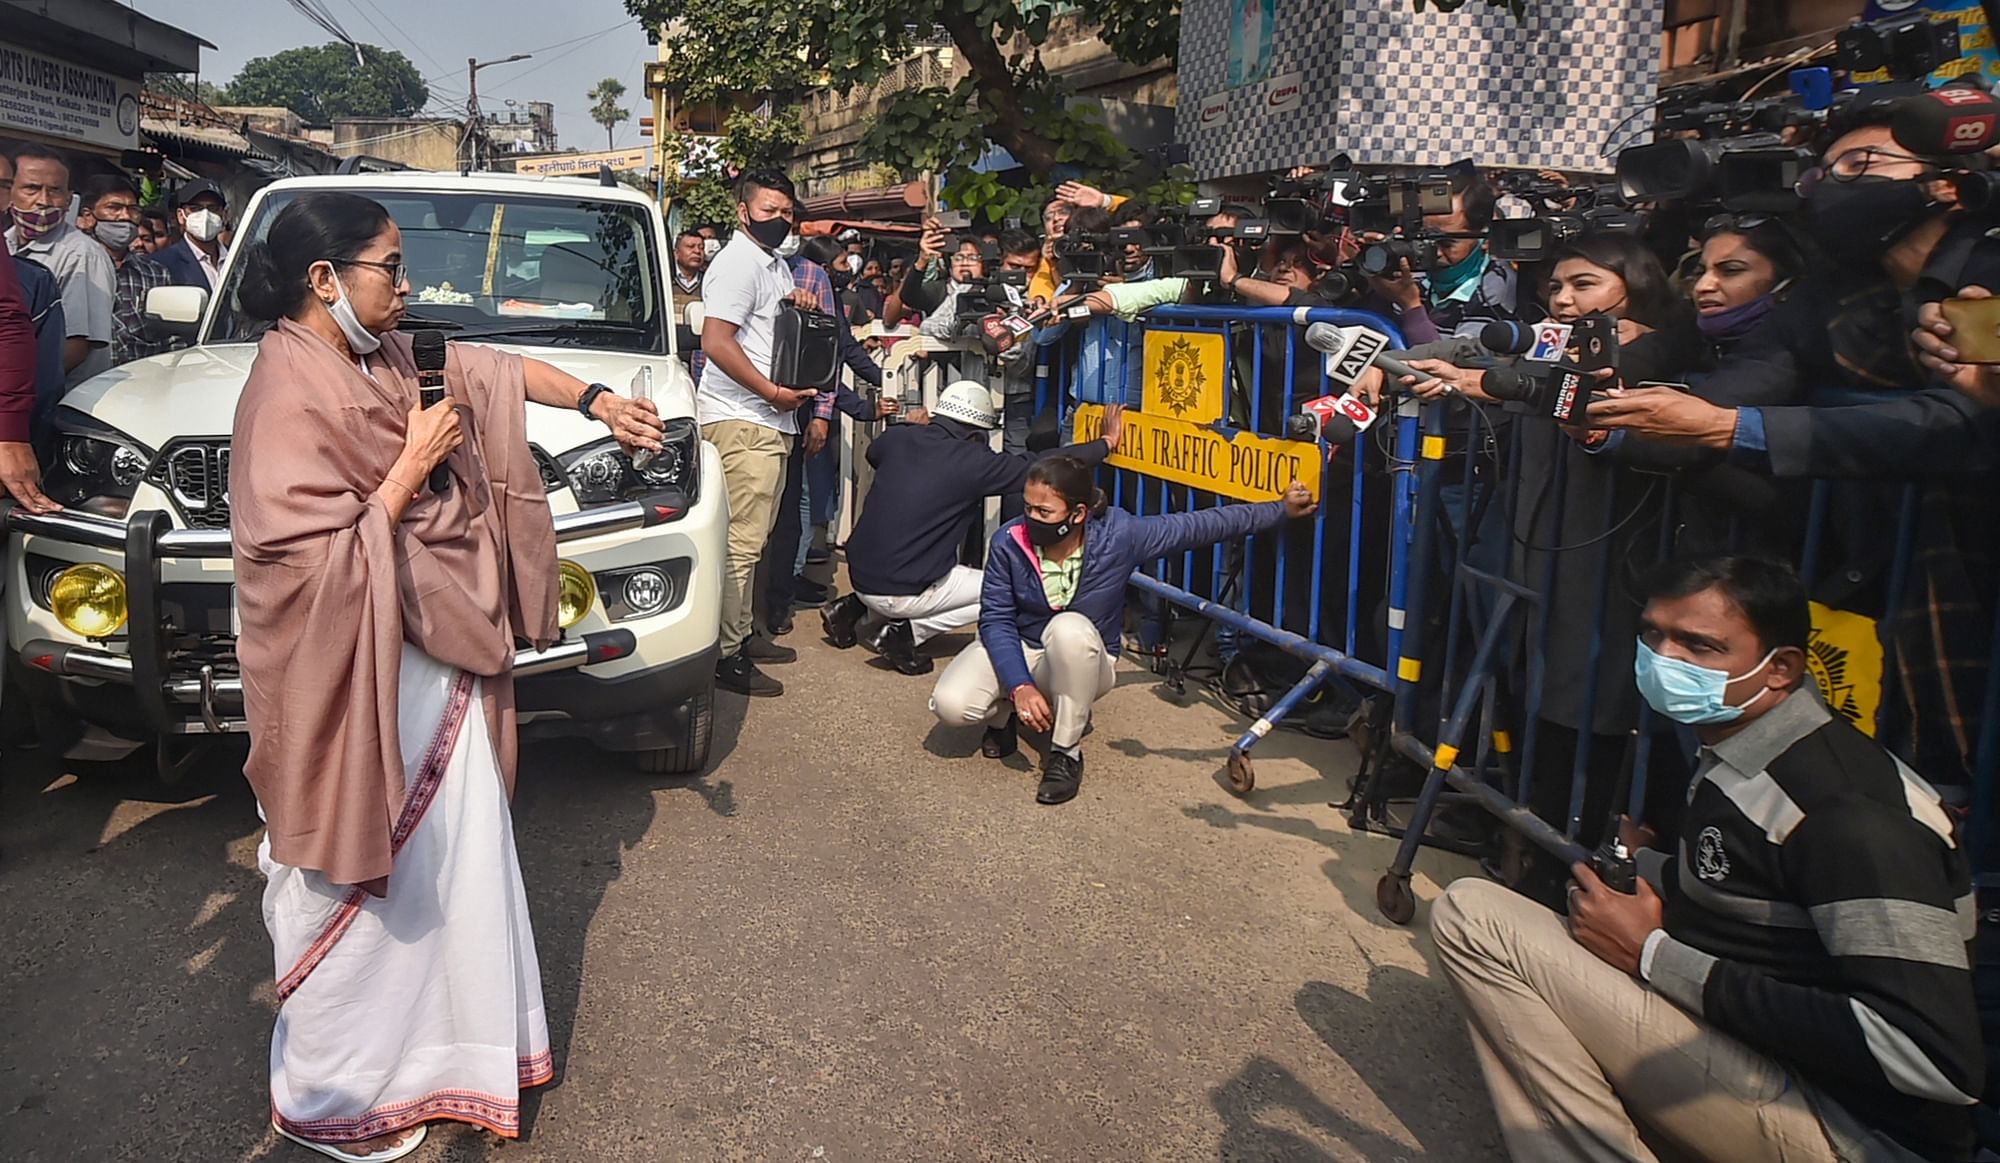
(1053, 602)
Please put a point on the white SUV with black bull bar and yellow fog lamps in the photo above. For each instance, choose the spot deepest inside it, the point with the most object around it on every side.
(121, 608)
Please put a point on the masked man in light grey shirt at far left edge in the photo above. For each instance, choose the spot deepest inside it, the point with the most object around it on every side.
(85, 273)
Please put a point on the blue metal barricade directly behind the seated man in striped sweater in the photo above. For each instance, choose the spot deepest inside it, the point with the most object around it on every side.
(1905, 630)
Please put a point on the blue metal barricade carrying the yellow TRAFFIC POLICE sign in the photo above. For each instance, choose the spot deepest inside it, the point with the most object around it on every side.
(1209, 393)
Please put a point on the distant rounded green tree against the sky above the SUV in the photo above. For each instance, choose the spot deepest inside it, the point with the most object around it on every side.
(325, 83)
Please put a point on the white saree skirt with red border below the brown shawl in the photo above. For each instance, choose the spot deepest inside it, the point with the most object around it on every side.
(425, 1004)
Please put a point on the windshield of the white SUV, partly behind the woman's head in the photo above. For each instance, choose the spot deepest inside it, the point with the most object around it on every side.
(557, 271)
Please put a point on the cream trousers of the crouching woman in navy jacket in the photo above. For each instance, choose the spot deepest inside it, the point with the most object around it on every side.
(1071, 668)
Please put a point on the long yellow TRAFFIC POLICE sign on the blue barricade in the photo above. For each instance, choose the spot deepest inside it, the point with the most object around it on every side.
(1237, 465)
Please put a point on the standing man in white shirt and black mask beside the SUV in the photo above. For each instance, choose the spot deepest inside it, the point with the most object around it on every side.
(745, 415)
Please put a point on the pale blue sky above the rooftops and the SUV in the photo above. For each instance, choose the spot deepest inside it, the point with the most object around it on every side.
(439, 37)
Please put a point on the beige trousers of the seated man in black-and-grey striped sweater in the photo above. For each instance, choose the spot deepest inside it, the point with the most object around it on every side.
(1585, 1062)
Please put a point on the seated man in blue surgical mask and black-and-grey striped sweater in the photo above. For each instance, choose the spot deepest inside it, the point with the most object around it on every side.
(1793, 986)
